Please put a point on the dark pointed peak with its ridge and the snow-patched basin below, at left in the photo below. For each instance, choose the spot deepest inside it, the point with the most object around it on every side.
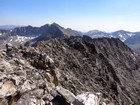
(21, 35)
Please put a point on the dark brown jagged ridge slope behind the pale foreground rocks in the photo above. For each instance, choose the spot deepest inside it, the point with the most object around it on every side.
(104, 65)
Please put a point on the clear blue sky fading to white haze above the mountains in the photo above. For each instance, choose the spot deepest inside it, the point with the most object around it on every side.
(83, 15)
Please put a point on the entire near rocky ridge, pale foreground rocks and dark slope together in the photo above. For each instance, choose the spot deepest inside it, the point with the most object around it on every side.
(70, 71)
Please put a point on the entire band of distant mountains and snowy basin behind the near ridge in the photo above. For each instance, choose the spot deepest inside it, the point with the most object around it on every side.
(23, 34)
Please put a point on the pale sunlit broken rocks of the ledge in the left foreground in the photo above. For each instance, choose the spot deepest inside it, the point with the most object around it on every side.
(28, 77)
